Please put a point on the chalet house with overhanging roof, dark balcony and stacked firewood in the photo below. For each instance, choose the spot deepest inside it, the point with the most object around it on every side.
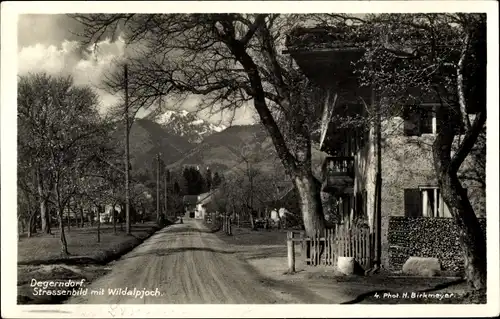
(412, 218)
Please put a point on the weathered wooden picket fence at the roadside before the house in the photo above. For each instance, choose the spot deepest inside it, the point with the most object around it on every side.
(340, 241)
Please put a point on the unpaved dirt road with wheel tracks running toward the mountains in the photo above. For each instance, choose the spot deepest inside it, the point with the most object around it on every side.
(185, 263)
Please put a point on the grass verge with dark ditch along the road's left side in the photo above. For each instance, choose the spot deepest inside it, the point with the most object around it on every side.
(39, 258)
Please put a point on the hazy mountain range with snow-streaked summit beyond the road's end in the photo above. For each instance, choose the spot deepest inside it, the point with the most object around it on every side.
(183, 140)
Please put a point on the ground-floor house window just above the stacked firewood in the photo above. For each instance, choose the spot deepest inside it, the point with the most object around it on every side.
(425, 202)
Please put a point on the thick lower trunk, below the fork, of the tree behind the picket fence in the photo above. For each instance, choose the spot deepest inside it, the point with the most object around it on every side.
(310, 203)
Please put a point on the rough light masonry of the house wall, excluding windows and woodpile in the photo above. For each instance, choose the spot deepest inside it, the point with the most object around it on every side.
(407, 162)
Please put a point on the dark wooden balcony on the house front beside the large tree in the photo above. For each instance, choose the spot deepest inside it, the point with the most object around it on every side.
(338, 174)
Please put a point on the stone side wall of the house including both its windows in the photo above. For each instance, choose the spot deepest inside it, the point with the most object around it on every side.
(409, 183)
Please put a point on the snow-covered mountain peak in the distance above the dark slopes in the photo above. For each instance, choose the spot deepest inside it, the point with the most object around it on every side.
(188, 125)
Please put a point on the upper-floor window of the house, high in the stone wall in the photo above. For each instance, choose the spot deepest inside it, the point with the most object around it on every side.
(419, 120)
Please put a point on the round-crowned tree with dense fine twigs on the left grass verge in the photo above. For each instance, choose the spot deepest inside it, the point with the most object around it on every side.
(63, 119)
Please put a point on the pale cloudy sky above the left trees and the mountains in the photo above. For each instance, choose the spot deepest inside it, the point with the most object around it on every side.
(49, 43)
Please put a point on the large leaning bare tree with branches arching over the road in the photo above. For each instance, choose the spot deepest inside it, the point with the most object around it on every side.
(228, 60)
